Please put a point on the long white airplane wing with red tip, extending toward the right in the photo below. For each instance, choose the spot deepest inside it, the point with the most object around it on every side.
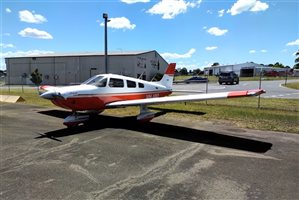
(184, 98)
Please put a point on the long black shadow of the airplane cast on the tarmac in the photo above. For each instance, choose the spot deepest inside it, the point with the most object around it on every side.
(163, 130)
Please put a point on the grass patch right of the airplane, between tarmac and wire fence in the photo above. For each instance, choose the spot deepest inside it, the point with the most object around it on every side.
(266, 118)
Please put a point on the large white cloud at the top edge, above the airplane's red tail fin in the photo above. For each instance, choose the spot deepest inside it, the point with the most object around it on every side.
(171, 8)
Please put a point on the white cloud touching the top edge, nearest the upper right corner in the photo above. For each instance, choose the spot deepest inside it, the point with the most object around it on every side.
(247, 5)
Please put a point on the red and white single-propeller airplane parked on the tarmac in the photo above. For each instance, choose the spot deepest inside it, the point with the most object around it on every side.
(105, 91)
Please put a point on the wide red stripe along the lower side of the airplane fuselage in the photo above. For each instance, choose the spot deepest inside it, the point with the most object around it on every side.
(98, 101)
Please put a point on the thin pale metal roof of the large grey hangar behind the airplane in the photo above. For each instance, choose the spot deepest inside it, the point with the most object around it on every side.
(112, 53)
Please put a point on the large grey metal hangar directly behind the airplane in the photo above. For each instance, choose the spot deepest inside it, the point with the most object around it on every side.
(64, 69)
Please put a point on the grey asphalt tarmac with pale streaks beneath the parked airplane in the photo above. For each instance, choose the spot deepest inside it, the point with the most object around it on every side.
(119, 158)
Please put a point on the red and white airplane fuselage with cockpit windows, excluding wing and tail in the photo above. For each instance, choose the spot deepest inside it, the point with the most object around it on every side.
(102, 89)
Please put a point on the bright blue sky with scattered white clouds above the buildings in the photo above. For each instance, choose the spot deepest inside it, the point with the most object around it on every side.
(192, 33)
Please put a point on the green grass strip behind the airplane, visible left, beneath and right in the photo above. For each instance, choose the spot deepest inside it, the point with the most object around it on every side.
(274, 114)
